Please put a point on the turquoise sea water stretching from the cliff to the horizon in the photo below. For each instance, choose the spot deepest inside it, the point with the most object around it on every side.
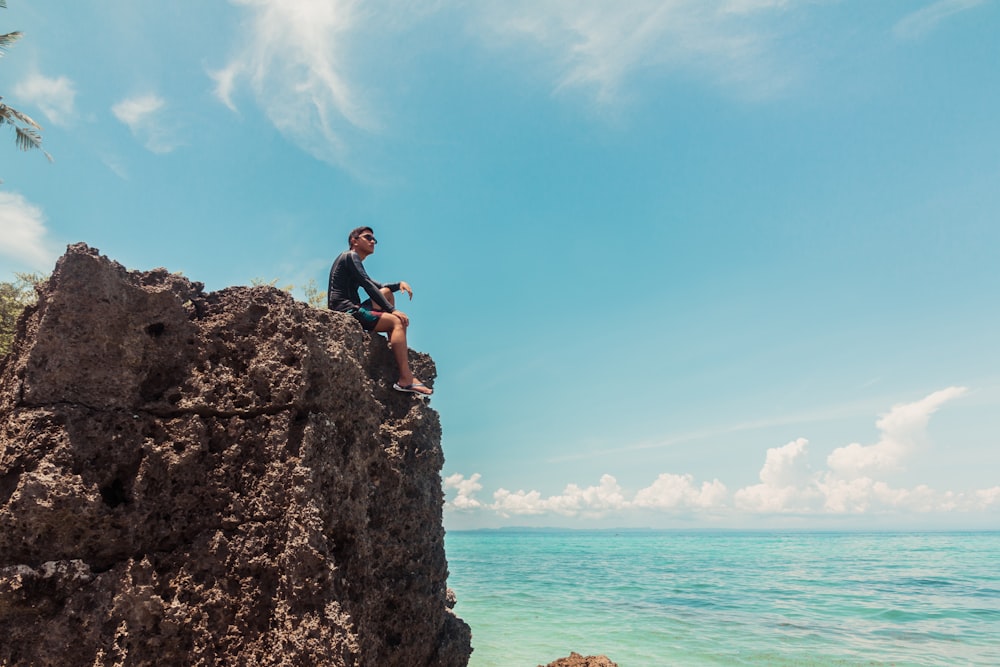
(683, 598)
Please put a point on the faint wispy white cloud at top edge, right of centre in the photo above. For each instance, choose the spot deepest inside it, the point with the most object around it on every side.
(596, 46)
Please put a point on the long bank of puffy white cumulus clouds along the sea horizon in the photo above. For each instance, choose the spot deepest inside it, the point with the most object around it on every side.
(788, 484)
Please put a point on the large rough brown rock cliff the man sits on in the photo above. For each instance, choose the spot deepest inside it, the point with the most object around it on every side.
(225, 478)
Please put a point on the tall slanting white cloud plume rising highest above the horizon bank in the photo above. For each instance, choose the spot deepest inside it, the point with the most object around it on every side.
(902, 431)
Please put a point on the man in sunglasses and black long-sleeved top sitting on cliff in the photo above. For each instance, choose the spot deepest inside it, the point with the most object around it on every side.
(378, 313)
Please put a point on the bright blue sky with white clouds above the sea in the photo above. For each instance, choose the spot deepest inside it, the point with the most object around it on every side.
(680, 263)
